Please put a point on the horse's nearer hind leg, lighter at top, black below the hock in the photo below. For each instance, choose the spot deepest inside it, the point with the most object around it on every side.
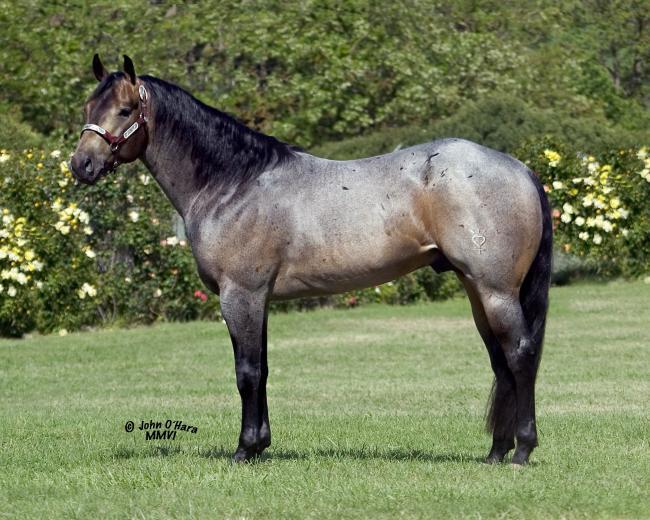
(506, 320)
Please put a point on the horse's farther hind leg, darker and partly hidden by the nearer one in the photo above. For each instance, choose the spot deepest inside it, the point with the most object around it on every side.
(503, 412)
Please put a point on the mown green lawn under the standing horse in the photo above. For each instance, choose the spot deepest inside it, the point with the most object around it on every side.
(376, 412)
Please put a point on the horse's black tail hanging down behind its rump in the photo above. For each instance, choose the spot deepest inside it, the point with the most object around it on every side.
(533, 294)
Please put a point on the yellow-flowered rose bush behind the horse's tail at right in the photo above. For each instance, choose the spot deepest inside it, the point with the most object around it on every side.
(600, 204)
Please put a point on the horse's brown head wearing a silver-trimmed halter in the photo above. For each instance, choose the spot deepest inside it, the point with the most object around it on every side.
(116, 118)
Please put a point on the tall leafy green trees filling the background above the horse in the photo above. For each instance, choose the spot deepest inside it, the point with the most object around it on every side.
(316, 71)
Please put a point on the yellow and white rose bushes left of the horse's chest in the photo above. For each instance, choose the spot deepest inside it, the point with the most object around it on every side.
(73, 257)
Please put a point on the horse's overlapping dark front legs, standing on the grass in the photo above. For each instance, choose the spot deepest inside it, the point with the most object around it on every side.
(245, 313)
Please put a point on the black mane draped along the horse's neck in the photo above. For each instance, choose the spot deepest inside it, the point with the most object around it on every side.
(222, 149)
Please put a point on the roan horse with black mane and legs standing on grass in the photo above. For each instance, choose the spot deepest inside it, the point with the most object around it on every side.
(267, 220)
